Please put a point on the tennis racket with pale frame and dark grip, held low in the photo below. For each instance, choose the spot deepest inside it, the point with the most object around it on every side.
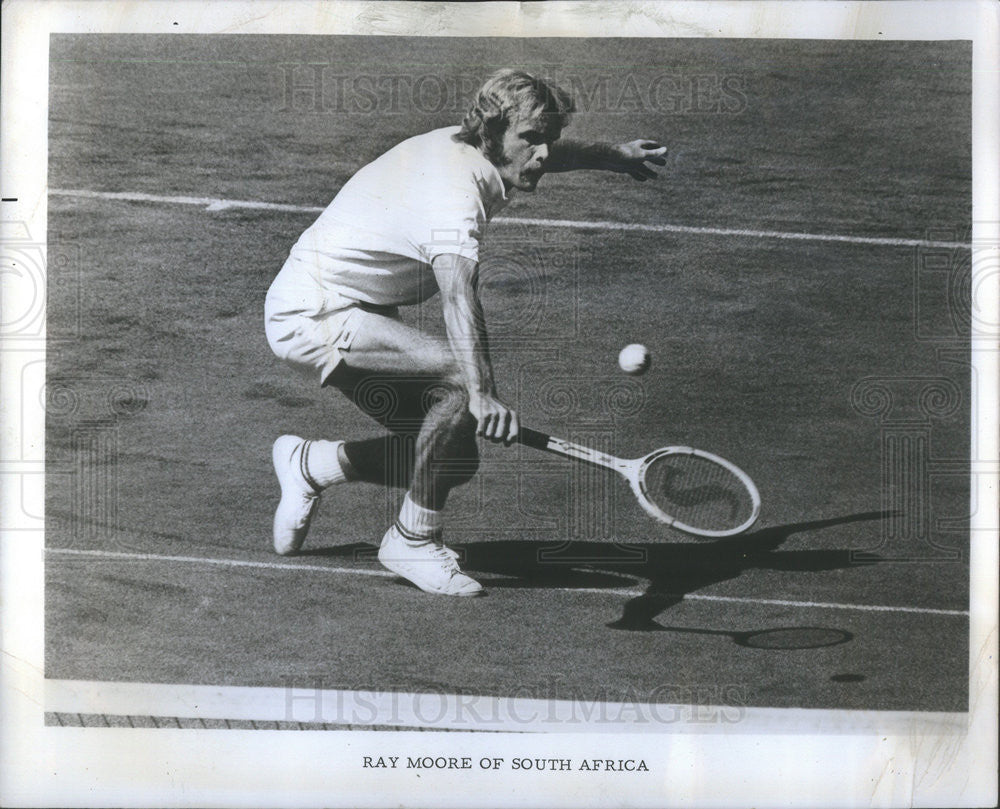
(688, 489)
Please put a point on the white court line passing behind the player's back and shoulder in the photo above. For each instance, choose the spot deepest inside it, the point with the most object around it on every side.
(216, 204)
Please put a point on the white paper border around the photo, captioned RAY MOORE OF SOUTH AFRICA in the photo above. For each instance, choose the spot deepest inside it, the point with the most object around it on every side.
(913, 762)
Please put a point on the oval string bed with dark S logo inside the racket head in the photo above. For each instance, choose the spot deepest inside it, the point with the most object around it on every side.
(698, 492)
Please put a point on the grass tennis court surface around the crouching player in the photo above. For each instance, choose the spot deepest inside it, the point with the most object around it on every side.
(835, 371)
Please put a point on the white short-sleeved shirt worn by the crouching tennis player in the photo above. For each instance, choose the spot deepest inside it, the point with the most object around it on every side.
(427, 196)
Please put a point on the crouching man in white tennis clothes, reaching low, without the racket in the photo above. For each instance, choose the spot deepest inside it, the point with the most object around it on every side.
(404, 228)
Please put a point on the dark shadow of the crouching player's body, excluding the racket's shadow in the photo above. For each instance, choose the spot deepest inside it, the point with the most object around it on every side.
(671, 570)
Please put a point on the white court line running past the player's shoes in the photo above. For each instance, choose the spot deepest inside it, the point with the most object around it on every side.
(152, 557)
